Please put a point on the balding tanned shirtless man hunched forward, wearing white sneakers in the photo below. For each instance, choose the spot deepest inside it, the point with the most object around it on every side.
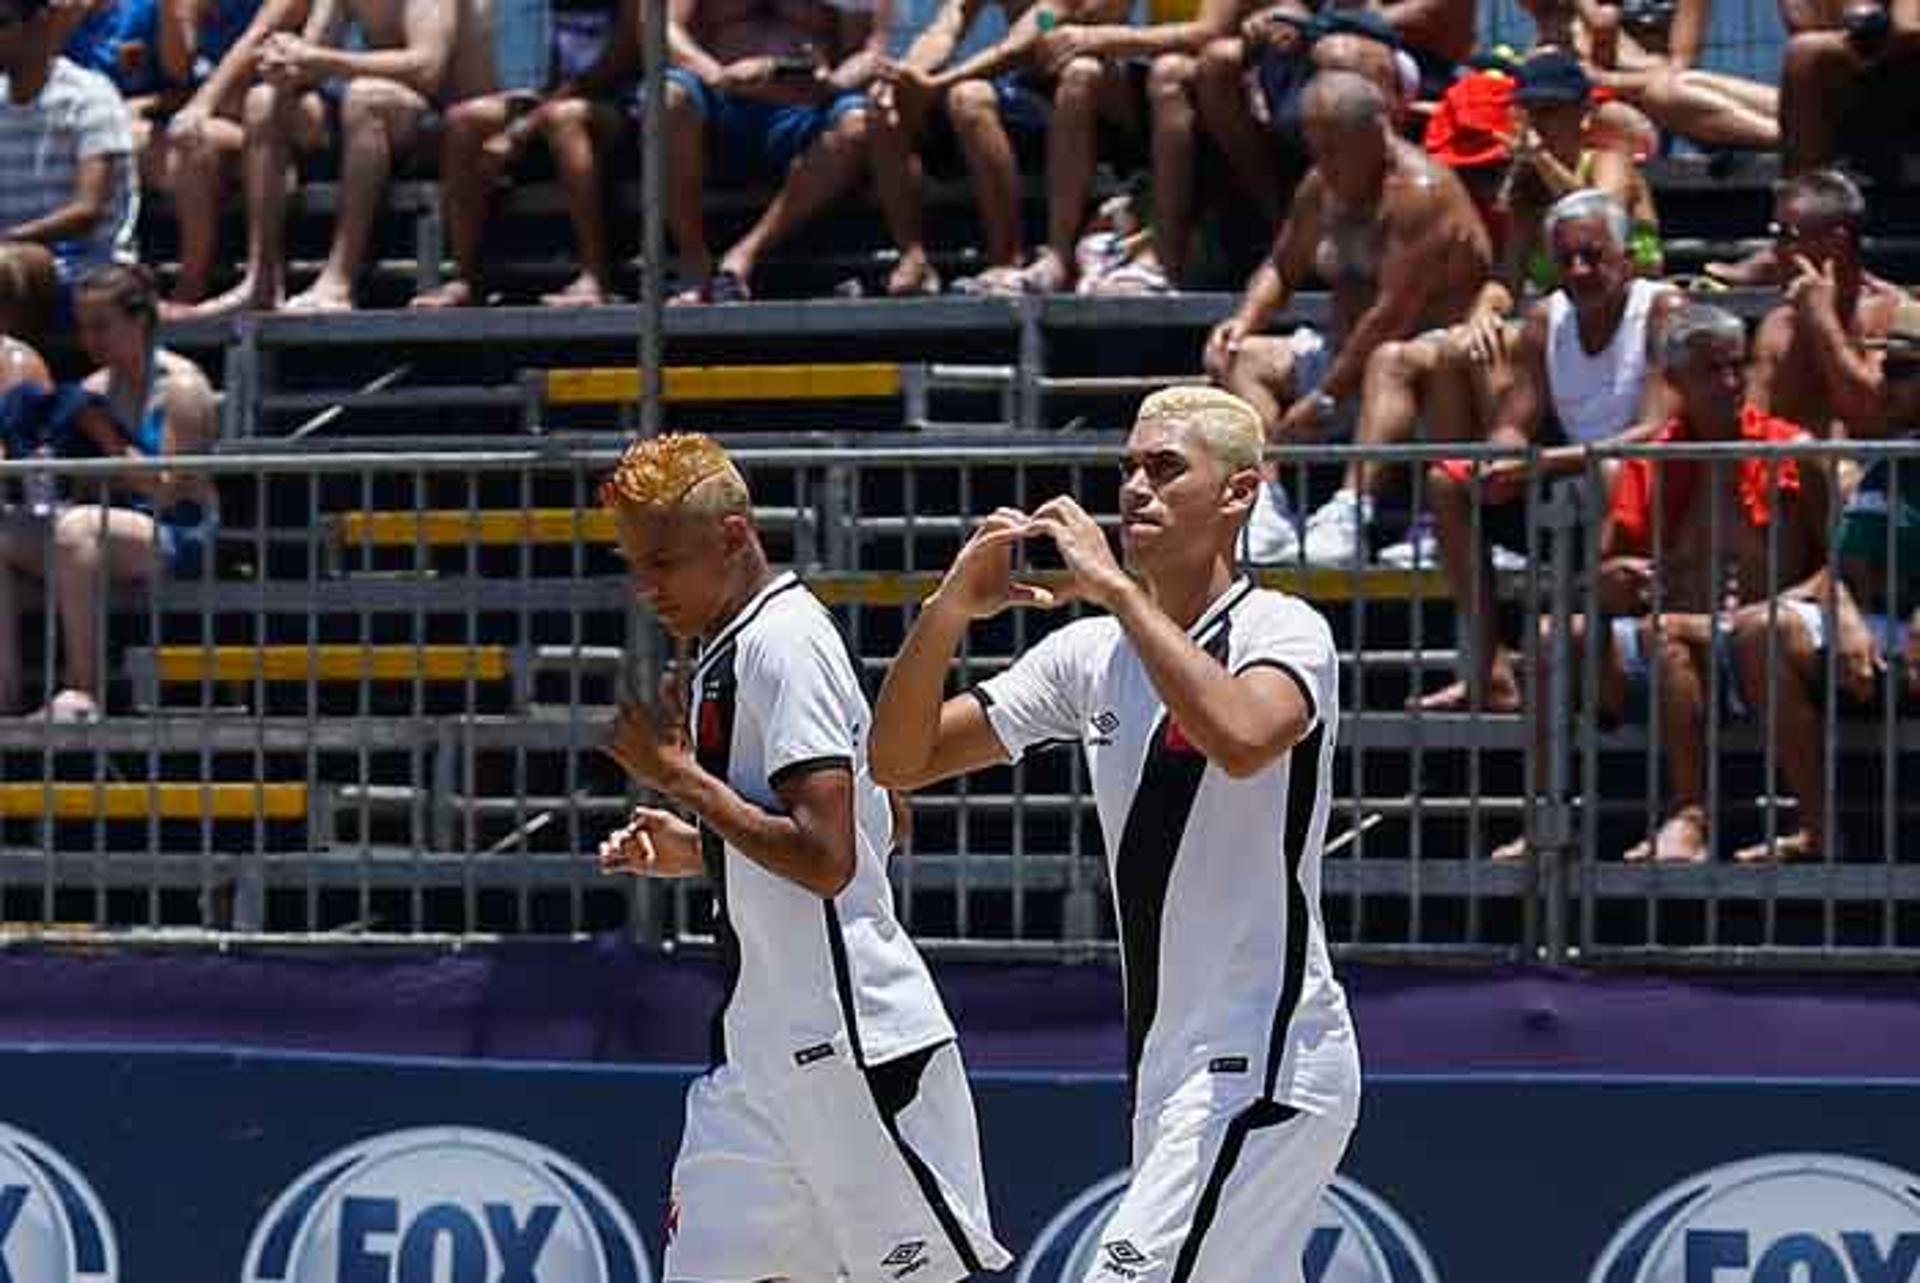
(1403, 249)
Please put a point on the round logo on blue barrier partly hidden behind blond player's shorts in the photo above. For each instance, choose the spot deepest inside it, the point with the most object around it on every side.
(1356, 1238)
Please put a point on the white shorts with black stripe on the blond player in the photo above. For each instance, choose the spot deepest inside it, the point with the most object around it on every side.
(1224, 1194)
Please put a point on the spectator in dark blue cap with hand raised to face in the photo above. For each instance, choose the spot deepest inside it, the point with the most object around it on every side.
(1554, 155)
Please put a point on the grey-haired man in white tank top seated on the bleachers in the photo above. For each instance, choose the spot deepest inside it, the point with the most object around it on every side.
(1585, 362)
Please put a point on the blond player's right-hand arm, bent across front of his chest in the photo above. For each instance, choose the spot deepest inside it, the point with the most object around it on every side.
(1239, 721)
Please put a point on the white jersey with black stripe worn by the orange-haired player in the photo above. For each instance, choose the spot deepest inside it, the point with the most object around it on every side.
(777, 692)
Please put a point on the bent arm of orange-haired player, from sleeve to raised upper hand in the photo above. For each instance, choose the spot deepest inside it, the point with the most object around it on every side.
(811, 846)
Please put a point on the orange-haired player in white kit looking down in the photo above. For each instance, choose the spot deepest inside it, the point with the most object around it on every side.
(834, 1134)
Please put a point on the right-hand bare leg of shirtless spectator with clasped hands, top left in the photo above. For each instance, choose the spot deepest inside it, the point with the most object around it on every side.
(379, 120)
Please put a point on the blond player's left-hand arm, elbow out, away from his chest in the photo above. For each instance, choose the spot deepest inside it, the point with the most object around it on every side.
(919, 737)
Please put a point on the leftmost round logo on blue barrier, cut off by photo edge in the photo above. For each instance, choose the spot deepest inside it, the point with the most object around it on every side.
(53, 1226)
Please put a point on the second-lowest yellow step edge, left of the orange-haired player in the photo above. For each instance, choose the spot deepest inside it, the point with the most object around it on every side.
(331, 664)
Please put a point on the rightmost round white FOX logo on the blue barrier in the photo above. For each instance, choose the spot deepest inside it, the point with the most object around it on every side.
(1783, 1219)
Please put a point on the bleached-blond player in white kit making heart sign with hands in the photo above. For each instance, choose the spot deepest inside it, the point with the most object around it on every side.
(1207, 710)
